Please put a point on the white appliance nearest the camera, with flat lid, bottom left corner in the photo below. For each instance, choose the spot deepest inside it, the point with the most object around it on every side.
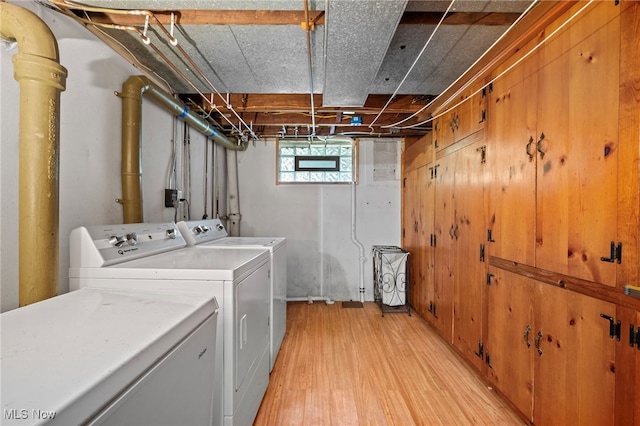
(108, 357)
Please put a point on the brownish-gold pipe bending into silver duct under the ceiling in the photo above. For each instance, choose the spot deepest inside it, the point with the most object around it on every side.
(131, 95)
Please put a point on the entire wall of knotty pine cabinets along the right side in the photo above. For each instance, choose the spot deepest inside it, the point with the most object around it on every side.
(554, 200)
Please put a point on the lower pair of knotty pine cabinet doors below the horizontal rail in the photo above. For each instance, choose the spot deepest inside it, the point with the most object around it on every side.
(549, 349)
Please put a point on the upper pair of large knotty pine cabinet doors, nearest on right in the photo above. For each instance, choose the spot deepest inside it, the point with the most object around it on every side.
(555, 123)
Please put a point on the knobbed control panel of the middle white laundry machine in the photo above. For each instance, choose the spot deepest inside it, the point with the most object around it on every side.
(103, 245)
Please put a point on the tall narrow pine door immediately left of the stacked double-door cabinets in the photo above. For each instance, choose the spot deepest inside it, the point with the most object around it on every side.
(469, 232)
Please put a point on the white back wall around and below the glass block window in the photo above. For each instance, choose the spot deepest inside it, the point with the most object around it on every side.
(316, 220)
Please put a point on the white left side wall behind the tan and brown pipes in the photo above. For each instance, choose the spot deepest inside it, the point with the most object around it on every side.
(89, 147)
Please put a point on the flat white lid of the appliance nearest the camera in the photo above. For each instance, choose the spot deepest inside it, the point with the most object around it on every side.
(71, 354)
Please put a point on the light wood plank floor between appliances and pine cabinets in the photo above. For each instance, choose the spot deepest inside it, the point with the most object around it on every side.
(351, 366)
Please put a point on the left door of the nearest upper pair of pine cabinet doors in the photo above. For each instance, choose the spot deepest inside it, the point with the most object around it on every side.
(510, 128)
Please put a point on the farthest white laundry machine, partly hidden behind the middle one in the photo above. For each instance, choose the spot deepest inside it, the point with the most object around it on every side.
(211, 233)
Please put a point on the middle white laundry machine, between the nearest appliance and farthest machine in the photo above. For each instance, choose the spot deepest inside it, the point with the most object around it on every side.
(153, 257)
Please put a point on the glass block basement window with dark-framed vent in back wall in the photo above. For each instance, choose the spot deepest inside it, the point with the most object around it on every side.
(301, 161)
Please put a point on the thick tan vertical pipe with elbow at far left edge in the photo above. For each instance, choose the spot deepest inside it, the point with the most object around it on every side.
(41, 79)
